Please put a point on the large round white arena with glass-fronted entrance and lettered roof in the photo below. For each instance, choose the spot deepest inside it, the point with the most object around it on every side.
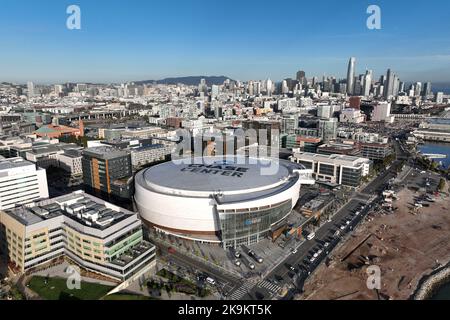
(223, 202)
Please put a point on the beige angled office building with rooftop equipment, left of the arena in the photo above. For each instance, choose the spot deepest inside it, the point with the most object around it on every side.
(96, 235)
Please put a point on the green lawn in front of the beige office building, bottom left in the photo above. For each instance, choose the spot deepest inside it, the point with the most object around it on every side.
(56, 289)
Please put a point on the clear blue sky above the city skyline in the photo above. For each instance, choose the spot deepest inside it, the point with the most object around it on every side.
(242, 39)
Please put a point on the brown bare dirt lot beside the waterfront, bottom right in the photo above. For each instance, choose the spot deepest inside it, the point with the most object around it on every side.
(405, 245)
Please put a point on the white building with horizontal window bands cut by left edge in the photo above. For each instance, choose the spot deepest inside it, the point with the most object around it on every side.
(21, 183)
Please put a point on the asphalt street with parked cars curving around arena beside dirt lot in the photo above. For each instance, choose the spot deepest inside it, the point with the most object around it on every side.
(237, 288)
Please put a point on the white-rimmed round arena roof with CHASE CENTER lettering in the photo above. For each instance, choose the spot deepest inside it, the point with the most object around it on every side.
(208, 175)
